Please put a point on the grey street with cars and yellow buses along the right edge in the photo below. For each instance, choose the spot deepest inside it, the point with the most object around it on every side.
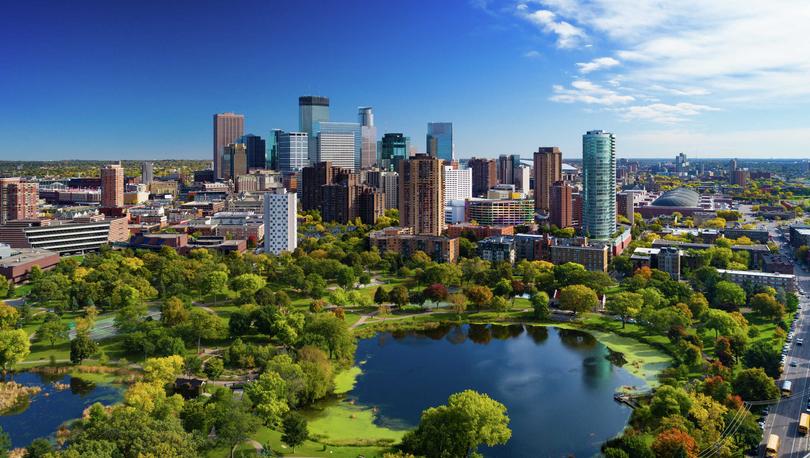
(784, 416)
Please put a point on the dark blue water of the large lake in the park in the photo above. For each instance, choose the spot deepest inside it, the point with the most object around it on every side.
(556, 384)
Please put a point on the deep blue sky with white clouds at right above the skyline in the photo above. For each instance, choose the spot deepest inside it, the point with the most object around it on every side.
(141, 79)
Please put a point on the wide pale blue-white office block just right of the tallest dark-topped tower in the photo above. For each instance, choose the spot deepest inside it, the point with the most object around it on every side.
(340, 143)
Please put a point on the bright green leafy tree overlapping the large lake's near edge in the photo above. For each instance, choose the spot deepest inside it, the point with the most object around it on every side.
(468, 420)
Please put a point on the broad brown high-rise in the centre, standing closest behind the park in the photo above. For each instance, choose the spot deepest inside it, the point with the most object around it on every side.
(421, 194)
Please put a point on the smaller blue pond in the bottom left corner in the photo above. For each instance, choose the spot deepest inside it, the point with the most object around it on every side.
(48, 409)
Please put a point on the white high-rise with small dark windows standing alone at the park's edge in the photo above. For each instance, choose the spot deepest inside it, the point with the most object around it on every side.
(280, 221)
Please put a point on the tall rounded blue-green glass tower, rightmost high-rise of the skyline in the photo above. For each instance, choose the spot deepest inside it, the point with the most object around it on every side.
(599, 181)
